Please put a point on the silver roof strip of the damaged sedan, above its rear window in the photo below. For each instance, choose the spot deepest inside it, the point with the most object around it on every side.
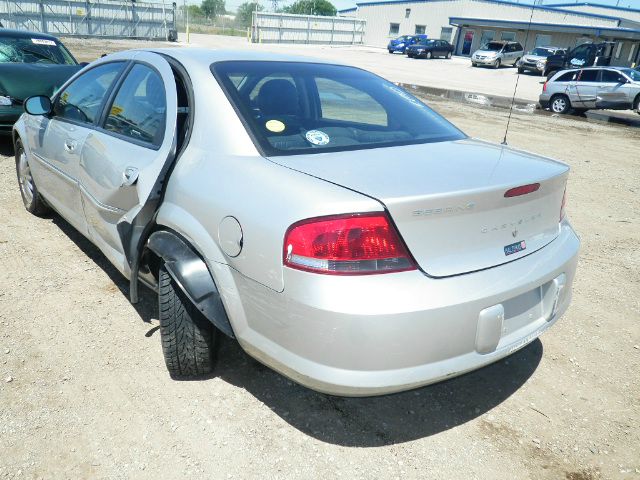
(209, 56)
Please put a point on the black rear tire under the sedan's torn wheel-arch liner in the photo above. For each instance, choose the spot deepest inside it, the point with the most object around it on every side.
(188, 339)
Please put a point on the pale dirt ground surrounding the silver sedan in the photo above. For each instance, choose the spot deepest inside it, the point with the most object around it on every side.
(84, 392)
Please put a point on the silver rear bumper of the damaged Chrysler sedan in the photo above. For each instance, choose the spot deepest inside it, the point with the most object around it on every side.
(358, 336)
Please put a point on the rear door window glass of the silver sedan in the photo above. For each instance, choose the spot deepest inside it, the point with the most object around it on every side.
(140, 107)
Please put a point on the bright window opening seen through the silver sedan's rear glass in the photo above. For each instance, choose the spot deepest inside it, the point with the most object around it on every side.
(339, 101)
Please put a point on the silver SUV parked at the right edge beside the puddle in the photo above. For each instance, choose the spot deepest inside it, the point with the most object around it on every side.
(615, 88)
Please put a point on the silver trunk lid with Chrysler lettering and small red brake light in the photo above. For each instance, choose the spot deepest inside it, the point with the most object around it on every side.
(448, 201)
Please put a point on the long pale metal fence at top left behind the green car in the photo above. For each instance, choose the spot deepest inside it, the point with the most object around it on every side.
(85, 18)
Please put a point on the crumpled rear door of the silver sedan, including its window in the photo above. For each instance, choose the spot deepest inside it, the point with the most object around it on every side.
(123, 162)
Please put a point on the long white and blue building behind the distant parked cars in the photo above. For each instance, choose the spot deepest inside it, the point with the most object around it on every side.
(468, 24)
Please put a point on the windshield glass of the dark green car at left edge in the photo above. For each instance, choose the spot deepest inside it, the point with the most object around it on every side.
(34, 50)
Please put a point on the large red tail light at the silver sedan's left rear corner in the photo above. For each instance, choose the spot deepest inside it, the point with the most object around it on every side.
(356, 244)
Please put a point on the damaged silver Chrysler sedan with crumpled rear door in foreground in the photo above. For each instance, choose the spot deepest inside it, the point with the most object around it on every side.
(359, 247)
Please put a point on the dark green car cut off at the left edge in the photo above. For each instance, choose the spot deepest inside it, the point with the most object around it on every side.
(30, 64)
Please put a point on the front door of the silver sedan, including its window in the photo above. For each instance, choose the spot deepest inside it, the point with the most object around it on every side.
(57, 141)
